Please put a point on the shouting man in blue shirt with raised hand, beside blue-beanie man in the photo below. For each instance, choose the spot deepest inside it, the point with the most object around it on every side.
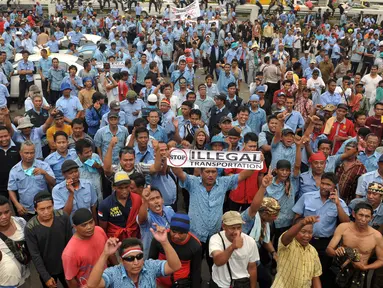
(152, 211)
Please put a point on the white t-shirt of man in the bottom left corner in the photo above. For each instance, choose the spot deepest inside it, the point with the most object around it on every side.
(12, 273)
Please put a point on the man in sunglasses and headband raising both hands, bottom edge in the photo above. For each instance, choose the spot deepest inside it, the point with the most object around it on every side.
(134, 271)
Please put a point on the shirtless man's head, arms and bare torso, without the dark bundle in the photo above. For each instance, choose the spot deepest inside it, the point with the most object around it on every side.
(360, 236)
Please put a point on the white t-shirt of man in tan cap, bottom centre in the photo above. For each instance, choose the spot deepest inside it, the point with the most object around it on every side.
(238, 261)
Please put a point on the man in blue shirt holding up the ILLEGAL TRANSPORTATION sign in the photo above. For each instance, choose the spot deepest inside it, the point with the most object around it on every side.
(207, 194)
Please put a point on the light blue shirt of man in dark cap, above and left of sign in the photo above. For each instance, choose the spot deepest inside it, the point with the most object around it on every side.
(103, 138)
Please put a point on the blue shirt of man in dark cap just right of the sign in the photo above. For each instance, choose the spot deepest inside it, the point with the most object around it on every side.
(278, 191)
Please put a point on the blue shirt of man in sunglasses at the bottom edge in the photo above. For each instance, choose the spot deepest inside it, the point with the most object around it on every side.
(116, 276)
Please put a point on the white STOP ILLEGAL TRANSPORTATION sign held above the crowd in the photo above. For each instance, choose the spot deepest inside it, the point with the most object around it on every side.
(186, 158)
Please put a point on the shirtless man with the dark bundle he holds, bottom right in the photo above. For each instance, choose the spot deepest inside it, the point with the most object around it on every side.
(353, 244)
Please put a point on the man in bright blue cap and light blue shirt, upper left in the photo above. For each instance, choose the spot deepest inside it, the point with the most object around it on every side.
(69, 105)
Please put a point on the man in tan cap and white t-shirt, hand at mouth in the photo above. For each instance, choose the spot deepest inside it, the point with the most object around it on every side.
(234, 254)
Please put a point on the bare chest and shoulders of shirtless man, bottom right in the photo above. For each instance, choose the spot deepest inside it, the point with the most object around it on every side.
(364, 241)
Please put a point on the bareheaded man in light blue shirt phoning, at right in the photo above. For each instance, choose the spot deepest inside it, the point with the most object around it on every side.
(331, 209)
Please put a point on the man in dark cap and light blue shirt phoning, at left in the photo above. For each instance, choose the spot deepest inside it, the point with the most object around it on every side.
(74, 193)
